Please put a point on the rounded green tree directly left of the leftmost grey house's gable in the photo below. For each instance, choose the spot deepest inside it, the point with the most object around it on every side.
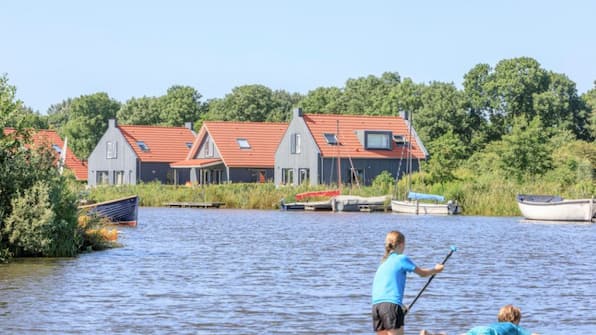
(88, 117)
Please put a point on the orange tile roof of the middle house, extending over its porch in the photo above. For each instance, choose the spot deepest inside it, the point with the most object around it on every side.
(263, 138)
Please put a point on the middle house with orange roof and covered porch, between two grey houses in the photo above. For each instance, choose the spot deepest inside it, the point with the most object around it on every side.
(226, 151)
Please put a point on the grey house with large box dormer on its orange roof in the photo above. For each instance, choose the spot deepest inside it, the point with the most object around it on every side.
(325, 148)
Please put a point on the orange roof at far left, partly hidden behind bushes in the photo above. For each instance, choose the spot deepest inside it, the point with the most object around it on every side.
(51, 139)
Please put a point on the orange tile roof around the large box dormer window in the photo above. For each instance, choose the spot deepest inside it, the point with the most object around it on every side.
(350, 145)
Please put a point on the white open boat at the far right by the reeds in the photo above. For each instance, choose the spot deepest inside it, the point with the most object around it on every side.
(555, 208)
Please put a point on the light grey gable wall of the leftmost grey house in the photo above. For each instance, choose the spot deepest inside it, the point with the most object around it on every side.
(125, 158)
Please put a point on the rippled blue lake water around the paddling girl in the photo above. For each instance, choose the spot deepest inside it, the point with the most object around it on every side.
(222, 271)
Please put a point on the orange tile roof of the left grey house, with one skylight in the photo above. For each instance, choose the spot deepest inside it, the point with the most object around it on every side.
(164, 144)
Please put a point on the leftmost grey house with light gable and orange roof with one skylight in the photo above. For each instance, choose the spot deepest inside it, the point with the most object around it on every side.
(130, 154)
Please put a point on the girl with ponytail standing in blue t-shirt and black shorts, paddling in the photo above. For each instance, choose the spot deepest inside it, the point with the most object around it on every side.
(389, 283)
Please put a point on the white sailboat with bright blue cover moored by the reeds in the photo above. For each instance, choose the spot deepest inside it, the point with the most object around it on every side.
(414, 206)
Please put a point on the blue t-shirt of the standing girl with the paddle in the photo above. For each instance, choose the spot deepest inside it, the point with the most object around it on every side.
(390, 279)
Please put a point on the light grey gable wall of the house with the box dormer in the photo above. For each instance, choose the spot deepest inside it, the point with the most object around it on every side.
(308, 158)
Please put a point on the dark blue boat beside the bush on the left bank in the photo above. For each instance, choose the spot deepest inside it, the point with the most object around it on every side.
(122, 211)
